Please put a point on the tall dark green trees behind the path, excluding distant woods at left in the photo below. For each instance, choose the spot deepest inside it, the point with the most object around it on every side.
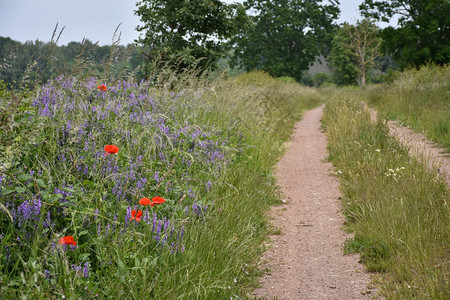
(285, 37)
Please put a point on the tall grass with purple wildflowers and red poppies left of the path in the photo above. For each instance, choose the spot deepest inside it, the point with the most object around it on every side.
(206, 147)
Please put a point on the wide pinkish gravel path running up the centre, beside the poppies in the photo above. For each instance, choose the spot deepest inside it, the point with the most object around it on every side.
(306, 261)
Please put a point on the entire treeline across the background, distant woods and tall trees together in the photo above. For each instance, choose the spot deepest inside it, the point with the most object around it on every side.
(281, 37)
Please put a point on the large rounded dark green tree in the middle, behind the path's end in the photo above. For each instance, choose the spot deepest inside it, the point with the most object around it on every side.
(286, 35)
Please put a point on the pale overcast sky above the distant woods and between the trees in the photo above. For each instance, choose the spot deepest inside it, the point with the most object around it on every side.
(96, 20)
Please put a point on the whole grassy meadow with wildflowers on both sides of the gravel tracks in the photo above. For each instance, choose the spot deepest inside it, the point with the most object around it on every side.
(112, 187)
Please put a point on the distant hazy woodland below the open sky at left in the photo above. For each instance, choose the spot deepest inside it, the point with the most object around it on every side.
(37, 61)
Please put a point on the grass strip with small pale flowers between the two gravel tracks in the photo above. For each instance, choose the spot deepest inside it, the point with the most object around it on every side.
(396, 207)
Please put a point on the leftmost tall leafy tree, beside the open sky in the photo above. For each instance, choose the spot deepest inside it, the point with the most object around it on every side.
(184, 33)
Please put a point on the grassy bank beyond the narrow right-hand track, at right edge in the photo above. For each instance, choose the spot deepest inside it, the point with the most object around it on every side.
(419, 99)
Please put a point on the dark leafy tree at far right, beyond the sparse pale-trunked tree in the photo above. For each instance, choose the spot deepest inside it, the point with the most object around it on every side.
(423, 33)
